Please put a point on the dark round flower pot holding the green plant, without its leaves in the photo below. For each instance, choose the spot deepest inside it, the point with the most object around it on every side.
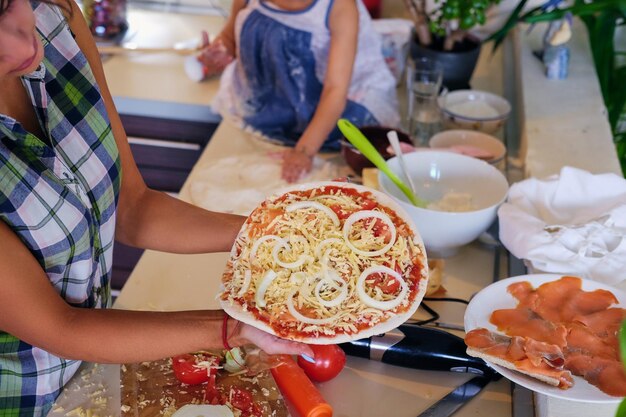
(458, 64)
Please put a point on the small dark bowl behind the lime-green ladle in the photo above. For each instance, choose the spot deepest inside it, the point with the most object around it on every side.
(377, 135)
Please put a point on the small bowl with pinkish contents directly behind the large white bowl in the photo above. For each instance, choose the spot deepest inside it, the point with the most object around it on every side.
(471, 143)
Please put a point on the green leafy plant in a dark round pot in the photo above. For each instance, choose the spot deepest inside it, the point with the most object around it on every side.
(442, 34)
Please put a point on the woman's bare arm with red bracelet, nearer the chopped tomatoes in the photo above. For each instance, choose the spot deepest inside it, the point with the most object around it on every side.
(31, 310)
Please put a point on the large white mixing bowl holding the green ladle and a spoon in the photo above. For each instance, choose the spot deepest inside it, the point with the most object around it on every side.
(436, 173)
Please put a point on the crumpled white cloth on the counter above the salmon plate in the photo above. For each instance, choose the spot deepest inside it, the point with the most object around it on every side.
(573, 223)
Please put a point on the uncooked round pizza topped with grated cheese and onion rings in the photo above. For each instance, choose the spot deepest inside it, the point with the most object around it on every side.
(326, 263)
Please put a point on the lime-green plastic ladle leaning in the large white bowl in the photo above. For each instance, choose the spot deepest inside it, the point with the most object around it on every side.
(356, 138)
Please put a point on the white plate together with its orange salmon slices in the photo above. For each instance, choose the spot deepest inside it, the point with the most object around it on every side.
(553, 334)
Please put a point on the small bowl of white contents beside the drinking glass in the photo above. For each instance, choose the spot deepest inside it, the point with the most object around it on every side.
(474, 110)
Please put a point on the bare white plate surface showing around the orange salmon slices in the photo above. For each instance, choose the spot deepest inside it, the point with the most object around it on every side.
(496, 296)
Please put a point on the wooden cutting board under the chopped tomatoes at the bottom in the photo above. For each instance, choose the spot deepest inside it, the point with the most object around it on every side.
(150, 389)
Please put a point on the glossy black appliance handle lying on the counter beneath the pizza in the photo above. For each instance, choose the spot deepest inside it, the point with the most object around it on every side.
(419, 348)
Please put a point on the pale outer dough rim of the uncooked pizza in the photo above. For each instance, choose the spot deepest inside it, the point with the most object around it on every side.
(236, 312)
